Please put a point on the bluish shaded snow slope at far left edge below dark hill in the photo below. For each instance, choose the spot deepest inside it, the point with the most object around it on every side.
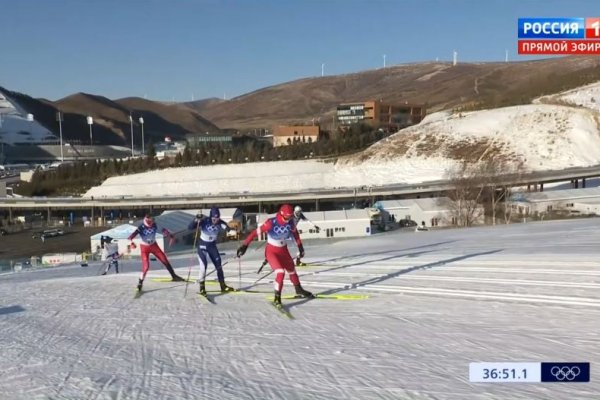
(16, 128)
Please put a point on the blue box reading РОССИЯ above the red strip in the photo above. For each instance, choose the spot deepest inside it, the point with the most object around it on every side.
(552, 28)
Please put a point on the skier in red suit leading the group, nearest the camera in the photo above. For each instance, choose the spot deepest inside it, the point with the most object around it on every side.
(279, 229)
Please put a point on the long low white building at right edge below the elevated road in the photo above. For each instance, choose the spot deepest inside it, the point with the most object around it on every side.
(584, 201)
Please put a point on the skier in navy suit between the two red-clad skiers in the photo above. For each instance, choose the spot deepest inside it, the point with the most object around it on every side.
(210, 227)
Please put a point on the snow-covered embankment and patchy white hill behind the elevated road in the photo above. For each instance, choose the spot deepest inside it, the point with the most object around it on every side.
(541, 136)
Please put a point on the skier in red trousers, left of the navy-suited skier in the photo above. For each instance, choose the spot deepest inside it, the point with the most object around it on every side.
(147, 231)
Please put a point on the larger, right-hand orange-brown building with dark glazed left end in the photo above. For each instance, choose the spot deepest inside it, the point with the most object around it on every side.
(379, 114)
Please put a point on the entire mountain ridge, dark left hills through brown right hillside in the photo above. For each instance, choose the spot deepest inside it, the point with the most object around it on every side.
(438, 85)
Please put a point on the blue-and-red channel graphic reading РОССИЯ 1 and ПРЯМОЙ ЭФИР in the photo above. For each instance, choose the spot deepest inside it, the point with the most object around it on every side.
(559, 35)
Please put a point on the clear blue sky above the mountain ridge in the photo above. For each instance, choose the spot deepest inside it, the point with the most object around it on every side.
(176, 49)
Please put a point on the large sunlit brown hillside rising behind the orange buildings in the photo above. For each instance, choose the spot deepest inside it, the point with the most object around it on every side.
(440, 85)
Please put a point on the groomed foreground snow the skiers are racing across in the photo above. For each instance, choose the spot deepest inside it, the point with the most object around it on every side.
(438, 300)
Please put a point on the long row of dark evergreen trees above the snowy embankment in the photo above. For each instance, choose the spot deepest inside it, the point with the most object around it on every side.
(75, 179)
